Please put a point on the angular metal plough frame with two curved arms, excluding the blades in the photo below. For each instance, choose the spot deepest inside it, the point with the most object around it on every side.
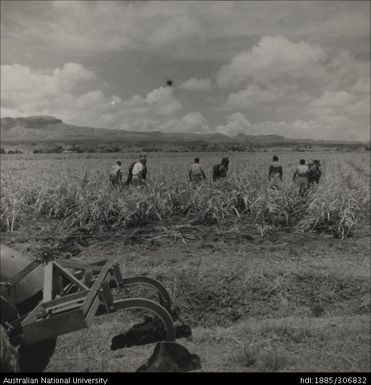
(61, 312)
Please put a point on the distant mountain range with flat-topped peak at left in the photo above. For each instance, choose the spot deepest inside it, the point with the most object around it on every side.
(47, 129)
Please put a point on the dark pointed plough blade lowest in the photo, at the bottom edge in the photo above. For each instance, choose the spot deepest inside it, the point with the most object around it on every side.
(171, 357)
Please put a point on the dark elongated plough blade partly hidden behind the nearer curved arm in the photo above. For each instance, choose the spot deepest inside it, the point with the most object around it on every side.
(147, 332)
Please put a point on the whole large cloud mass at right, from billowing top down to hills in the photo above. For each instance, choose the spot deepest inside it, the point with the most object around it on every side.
(290, 82)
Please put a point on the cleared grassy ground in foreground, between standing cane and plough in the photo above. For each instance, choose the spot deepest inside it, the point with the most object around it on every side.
(256, 303)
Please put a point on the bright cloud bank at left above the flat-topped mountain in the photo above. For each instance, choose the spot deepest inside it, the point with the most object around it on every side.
(66, 93)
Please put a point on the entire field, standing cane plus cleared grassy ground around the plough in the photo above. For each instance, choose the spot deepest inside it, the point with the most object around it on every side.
(257, 272)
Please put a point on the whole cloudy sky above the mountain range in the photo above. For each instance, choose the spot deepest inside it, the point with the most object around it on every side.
(295, 68)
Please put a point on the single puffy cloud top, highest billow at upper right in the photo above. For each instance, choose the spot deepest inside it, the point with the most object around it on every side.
(271, 58)
